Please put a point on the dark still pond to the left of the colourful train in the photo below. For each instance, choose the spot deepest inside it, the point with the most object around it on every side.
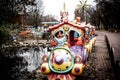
(20, 63)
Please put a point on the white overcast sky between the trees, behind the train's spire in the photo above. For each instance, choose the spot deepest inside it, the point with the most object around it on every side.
(54, 7)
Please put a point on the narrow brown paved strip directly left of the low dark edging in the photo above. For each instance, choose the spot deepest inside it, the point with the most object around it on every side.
(103, 65)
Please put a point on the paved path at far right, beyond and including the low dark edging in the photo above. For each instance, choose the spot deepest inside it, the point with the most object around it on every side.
(114, 50)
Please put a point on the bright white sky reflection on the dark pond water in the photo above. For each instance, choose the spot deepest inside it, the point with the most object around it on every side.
(33, 57)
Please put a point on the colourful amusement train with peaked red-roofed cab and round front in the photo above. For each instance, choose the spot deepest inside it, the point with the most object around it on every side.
(72, 43)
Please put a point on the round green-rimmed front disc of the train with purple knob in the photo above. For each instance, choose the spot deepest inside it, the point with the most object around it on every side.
(61, 60)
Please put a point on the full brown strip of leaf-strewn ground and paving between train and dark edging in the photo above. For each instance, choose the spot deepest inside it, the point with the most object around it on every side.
(98, 66)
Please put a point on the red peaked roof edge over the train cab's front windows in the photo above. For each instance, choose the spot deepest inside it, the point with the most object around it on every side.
(82, 27)
